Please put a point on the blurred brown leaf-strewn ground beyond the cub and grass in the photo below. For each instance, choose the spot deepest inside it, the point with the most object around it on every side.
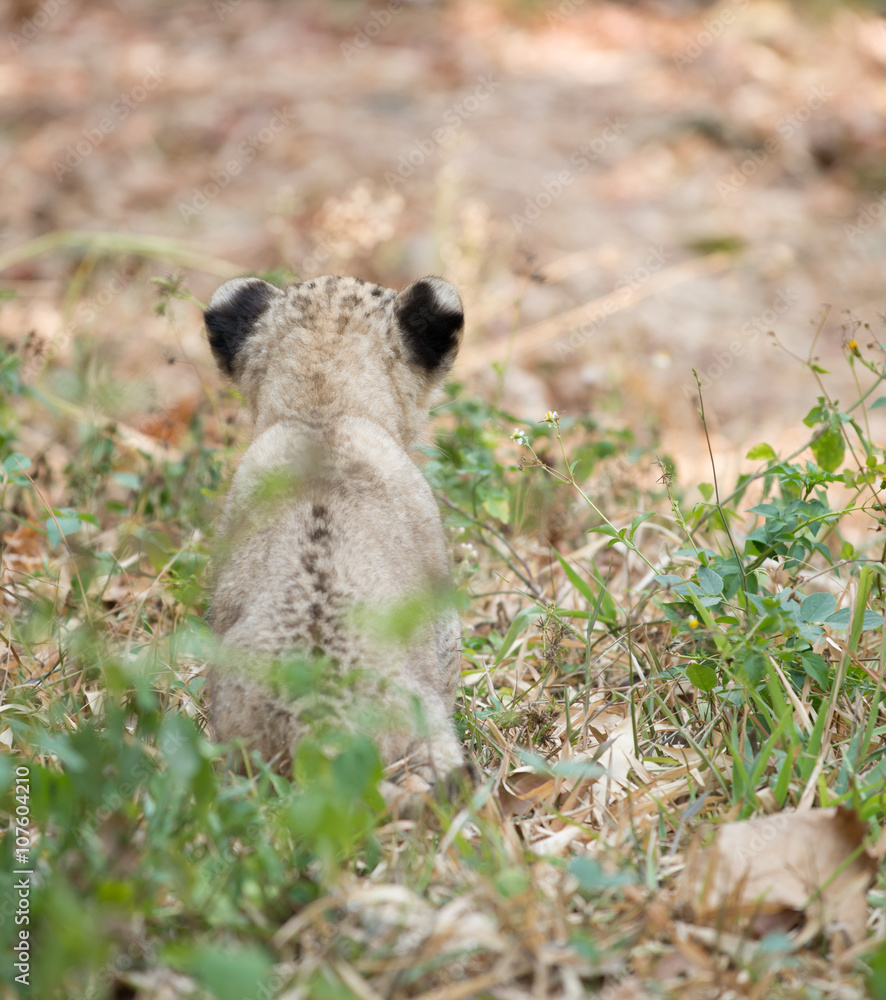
(622, 192)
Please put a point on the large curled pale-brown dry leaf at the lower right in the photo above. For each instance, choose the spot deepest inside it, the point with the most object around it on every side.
(774, 870)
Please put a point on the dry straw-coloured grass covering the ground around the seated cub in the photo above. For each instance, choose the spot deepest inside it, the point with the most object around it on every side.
(602, 763)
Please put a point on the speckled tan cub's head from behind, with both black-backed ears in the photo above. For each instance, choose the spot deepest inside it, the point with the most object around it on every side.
(334, 347)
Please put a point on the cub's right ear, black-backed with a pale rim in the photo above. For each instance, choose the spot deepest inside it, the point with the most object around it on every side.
(431, 317)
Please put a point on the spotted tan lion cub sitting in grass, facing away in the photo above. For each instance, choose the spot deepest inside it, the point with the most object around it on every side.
(329, 527)
